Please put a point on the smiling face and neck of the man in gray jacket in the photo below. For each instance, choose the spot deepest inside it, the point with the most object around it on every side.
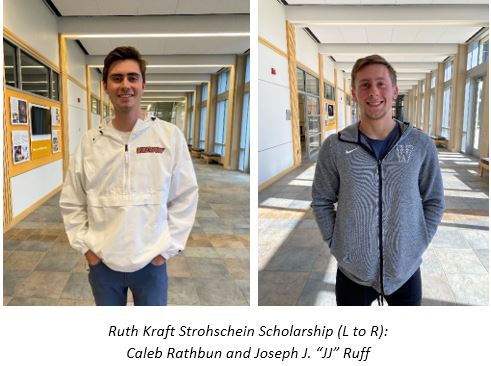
(374, 93)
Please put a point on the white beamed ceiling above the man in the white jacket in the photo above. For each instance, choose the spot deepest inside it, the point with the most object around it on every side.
(146, 24)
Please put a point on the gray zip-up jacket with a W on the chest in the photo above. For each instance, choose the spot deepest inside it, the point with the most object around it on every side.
(387, 211)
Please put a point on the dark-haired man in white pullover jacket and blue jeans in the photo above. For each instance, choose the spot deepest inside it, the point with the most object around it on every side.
(130, 195)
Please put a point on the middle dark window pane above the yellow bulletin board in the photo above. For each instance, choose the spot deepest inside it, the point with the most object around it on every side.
(34, 75)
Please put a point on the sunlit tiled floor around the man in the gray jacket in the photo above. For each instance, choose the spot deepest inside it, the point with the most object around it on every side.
(296, 268)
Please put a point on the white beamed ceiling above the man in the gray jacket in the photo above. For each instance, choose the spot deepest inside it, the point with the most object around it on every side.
(415, 35)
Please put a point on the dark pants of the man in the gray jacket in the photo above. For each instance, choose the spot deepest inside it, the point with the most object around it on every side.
(349, 293)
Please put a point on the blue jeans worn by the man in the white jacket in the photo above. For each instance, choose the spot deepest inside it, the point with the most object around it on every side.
(110, 288)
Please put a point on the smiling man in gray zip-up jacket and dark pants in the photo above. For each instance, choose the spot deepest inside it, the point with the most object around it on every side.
(385, 177)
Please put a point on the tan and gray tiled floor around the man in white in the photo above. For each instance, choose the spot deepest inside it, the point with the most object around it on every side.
(40, 268)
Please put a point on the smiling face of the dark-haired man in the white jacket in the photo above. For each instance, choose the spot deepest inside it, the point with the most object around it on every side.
(125, 86)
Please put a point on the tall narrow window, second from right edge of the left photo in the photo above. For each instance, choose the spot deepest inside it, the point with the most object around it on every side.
(221, 113)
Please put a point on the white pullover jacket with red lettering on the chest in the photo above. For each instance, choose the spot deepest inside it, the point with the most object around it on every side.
(128, 203)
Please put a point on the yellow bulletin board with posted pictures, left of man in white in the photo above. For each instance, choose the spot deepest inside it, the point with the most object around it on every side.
(24, 153)
